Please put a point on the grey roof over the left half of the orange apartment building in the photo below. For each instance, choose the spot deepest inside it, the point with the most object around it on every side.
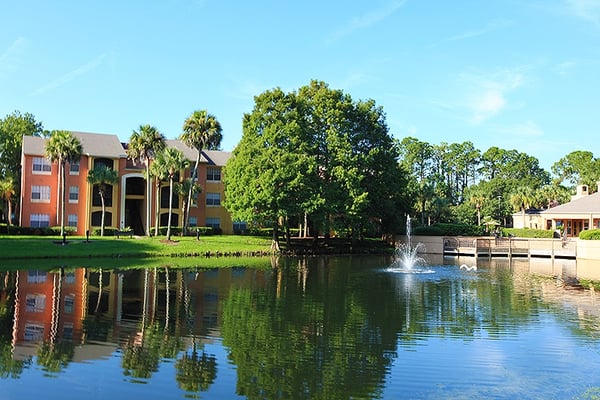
(93, 144)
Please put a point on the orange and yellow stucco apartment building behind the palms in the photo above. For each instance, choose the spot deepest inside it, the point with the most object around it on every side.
(126, 201)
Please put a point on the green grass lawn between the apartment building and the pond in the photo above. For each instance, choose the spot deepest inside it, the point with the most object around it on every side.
(27, 247)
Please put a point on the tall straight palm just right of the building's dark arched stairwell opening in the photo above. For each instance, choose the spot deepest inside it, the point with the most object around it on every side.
(143, 145)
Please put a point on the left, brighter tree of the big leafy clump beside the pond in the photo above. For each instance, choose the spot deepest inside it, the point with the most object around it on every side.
(266, 178)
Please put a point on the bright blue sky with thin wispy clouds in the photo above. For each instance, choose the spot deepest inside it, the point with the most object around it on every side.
(517, 74)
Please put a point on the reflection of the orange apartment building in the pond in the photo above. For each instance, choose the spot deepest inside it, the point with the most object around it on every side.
(97, 311)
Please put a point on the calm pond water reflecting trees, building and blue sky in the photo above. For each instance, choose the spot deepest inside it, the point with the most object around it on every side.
(320, 328)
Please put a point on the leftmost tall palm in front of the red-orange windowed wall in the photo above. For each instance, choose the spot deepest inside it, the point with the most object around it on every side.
(63, 147)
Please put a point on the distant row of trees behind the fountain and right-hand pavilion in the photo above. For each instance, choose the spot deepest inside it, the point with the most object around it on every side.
(458, 183)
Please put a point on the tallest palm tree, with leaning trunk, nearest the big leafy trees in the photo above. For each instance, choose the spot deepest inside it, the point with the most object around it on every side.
(201, 130)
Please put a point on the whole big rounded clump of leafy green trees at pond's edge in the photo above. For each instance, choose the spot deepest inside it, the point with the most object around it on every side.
(315, 153)
